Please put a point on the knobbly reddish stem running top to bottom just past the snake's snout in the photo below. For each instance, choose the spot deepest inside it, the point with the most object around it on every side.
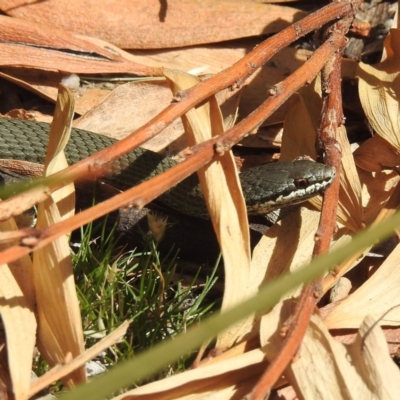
(332, 118)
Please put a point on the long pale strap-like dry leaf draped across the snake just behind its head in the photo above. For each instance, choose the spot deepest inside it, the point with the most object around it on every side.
(224, 198)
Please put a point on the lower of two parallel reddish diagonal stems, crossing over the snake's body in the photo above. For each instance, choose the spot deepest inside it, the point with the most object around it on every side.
(201, 154)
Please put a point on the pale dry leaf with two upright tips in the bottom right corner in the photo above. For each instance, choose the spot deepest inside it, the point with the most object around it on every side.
(363, 370)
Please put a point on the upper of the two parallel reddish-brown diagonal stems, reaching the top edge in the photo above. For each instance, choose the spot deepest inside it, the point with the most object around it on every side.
(236, 75)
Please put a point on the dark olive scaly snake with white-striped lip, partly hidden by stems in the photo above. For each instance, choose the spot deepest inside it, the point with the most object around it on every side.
(266, 188)
